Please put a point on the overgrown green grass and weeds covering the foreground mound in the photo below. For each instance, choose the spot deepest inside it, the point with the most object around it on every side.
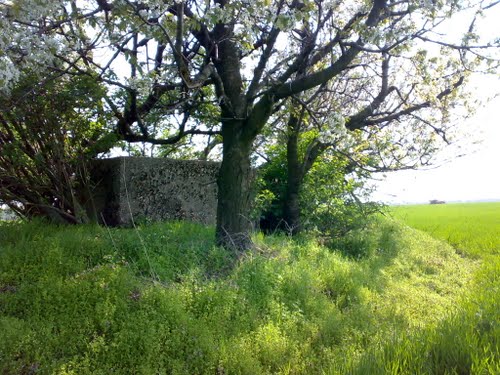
(163, 300)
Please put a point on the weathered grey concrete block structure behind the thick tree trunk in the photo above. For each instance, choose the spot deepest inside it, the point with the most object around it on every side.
(153, 189)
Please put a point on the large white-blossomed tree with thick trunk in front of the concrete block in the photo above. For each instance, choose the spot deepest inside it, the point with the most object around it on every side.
(247, 58)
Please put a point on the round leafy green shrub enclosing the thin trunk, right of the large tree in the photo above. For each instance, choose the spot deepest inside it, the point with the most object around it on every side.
(327, 190)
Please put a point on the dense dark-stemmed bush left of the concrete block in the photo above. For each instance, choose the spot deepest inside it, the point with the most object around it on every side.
(48, 133)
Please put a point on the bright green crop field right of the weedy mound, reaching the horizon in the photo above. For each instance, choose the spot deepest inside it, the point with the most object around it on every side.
(473, 230)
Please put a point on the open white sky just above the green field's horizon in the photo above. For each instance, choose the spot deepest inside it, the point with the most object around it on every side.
(473, 177)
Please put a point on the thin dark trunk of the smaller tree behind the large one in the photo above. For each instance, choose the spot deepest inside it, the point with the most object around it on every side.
(291, 206)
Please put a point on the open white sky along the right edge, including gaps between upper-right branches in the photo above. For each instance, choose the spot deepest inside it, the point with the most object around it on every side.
(473, 177)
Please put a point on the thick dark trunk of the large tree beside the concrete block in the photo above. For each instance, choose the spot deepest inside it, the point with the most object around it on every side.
(234, 194)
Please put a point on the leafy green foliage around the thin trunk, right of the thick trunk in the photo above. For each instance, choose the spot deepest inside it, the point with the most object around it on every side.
(329, 196)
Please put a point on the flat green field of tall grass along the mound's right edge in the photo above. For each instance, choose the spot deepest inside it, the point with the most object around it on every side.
(467, 341)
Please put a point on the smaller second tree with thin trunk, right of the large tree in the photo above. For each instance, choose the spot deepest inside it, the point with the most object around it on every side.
(311, 129)
